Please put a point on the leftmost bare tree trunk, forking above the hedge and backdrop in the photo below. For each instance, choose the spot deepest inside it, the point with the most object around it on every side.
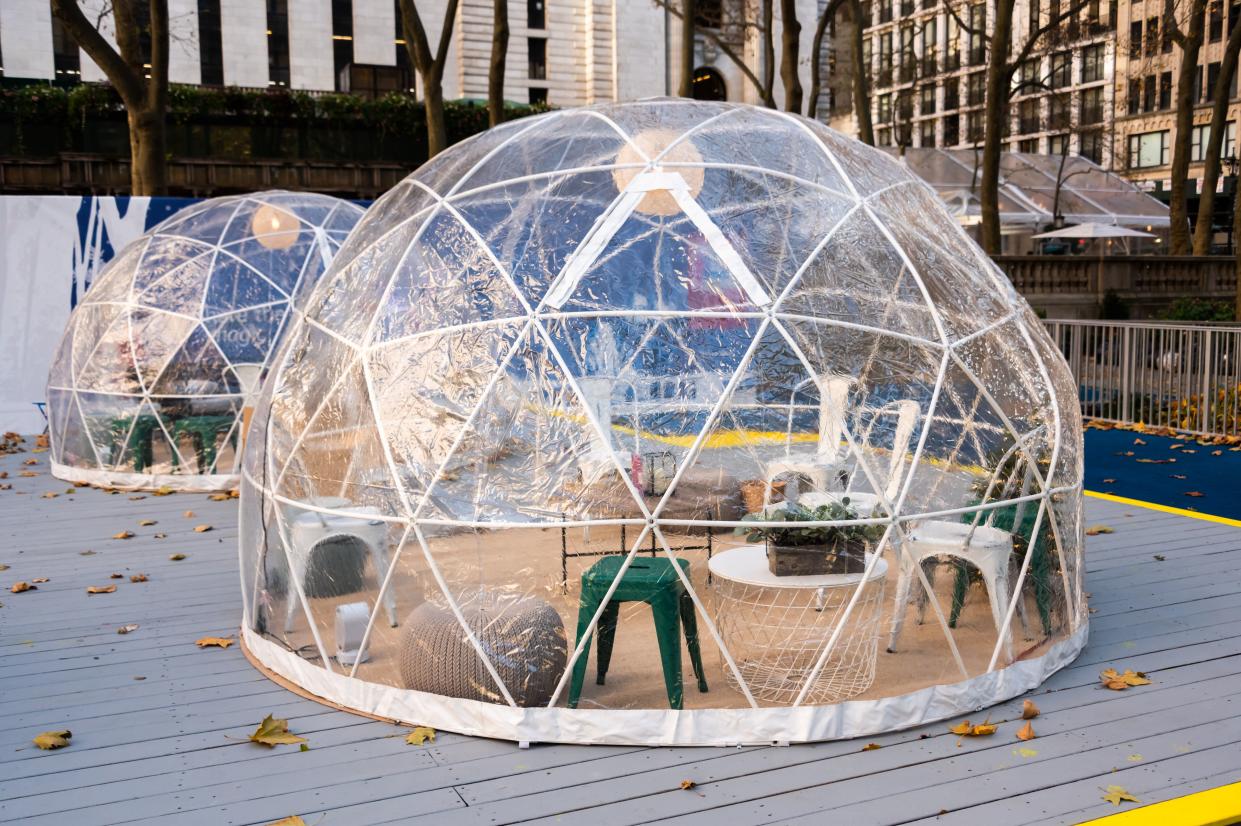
(145, 95)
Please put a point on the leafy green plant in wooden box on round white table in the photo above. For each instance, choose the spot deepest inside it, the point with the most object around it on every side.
(806, 551)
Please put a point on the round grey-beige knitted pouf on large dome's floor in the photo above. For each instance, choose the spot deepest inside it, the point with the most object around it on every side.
(524, 639)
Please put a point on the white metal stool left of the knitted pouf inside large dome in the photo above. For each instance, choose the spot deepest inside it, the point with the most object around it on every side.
(310, 530)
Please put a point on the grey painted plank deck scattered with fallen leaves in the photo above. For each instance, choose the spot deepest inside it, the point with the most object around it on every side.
(159, 726)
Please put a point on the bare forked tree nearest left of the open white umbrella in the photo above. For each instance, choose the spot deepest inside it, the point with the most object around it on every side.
(1002, 65)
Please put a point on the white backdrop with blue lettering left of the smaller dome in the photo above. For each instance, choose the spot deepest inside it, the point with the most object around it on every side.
(50, 249)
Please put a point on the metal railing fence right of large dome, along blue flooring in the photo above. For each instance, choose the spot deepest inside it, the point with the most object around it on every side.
(1181, 376)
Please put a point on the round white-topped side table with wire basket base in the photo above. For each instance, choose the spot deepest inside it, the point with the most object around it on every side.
(776, 628)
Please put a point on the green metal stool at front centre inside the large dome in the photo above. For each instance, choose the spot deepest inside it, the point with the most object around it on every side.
(646, 581)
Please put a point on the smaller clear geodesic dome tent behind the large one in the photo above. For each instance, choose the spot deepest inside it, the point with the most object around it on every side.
(158, 368)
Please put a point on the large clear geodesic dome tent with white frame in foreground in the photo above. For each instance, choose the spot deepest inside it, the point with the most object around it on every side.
(666, 422)
